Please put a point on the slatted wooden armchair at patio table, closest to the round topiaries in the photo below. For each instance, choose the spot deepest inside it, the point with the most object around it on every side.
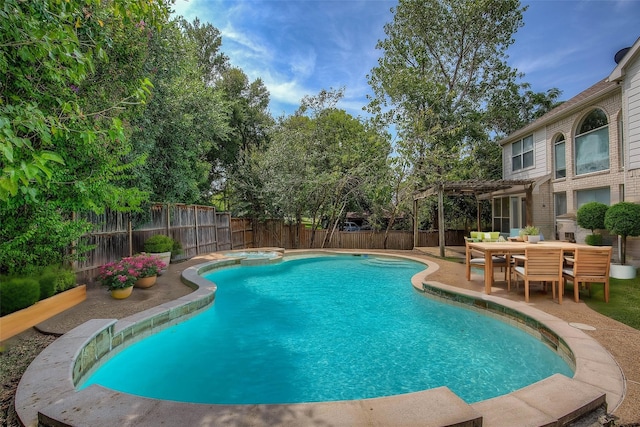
(590, 265)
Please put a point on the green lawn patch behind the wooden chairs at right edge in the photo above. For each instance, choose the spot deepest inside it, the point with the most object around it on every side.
(624, 300)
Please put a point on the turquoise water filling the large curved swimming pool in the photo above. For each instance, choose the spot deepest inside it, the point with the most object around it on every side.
(324, 329)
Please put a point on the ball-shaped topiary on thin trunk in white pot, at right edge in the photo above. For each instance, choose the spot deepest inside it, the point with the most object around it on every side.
(623, 219)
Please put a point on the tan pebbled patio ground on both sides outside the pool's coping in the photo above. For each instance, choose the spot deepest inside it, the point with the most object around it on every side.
(622, 341)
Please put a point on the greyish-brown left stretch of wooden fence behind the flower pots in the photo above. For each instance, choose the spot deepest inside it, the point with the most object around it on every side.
(199, 229)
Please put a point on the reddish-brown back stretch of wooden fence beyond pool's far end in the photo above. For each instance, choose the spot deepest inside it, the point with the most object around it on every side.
(276, 233)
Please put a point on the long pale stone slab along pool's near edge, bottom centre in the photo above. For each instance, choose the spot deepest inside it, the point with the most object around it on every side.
(100, 407)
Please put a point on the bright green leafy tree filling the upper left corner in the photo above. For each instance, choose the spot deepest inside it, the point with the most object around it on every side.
(64, 144)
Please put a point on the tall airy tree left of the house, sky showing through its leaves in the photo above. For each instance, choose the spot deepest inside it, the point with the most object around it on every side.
(442, 62)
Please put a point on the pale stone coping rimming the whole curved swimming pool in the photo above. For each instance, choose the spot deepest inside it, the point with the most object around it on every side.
(46, 393)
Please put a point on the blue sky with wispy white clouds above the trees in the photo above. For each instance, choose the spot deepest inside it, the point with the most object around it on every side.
(298, 47)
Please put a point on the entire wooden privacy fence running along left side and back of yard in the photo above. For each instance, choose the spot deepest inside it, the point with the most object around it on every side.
(201, 230)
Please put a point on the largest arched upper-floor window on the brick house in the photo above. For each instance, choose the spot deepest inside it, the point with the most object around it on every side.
(592, 144)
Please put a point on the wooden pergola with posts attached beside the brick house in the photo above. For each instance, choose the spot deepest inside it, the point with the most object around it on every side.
(476, 188)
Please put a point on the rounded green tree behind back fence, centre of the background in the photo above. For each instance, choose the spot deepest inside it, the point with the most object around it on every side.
(319, 163)
